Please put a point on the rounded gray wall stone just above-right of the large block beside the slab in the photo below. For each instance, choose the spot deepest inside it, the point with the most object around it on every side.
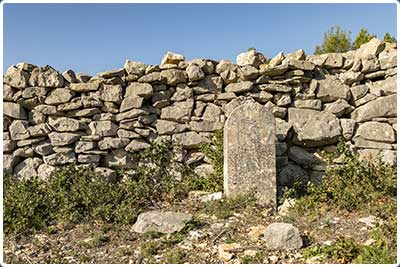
(331, 89)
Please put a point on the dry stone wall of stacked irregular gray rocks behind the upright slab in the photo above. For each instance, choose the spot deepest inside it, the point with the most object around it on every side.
(52, 119)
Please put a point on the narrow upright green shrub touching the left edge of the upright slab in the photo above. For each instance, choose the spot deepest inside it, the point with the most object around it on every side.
(214, 150)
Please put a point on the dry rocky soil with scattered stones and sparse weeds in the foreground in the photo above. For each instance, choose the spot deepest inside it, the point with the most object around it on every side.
(237, 238)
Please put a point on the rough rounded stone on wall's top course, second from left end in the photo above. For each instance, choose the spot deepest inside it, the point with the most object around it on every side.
(46, 77)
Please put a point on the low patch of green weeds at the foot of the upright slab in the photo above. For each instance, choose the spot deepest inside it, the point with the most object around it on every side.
(226, 207)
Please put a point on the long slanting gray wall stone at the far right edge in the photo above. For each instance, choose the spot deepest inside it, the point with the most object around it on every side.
(382, 107)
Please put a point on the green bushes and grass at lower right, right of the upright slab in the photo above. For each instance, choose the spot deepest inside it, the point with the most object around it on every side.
(355, 185)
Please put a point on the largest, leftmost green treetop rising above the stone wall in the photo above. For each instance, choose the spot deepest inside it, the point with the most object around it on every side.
(335, 40)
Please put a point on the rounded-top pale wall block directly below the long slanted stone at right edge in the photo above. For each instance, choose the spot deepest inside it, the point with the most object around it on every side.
(376, 131)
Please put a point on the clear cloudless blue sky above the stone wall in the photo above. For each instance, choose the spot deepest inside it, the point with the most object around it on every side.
(92, 38)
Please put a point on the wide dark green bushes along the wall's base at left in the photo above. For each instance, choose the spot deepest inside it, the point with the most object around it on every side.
(77, 193)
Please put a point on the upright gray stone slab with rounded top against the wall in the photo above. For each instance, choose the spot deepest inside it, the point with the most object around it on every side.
(249, 153)
